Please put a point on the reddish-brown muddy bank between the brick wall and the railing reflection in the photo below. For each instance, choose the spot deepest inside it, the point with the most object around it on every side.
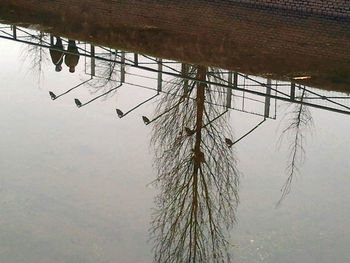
(267, 41)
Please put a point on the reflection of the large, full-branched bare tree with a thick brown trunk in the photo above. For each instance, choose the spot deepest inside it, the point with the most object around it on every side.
(197, 174)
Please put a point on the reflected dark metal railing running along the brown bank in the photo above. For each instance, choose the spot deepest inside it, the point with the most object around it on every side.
(250, 94)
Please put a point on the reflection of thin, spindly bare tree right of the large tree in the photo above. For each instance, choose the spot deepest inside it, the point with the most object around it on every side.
(300, 121)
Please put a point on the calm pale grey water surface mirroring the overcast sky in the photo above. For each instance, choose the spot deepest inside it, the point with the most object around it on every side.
(75, 183)
